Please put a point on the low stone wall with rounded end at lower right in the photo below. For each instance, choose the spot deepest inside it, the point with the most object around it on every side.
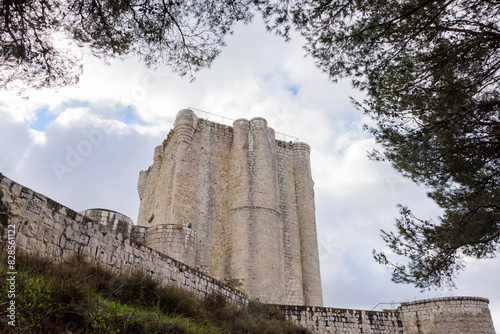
(450, 315)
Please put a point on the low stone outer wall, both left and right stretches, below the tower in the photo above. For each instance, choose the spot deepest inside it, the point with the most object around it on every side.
(47, 228)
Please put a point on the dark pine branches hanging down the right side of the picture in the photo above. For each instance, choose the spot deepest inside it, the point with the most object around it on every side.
(430, 69)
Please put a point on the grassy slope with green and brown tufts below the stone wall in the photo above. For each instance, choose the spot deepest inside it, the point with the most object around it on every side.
(80, 297)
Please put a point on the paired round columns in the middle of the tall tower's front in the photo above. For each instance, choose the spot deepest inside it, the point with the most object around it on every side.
(255, 221)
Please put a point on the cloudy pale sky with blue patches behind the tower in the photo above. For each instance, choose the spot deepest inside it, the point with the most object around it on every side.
(84, 146)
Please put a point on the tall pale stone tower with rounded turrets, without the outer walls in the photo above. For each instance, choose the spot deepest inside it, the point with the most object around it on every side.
(237, 204)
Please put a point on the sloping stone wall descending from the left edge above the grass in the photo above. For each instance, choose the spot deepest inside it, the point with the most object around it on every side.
(50, 229)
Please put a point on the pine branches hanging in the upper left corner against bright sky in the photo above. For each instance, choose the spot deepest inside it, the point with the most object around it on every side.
(185, 35)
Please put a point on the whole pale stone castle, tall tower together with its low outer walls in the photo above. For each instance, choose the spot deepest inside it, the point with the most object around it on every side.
(228, 210)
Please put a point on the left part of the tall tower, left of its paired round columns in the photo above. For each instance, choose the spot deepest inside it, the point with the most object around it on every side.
(186, 185)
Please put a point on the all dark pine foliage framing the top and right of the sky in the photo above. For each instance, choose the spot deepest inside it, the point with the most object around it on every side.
(430, 70)
